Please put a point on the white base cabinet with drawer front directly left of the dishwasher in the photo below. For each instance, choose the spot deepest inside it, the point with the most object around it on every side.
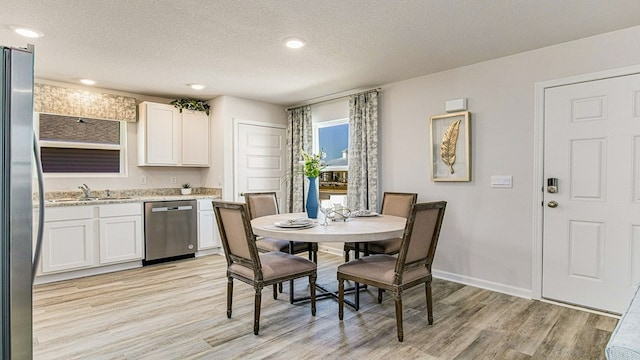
(120, 233)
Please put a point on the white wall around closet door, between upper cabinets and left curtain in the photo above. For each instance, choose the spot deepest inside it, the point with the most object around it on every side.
(225, 110)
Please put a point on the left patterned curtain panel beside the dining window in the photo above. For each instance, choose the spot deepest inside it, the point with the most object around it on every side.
(299, 137)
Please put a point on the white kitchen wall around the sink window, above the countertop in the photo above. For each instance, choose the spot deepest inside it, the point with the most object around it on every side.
(157, 177)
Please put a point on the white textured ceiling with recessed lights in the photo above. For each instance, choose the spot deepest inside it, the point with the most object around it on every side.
(235, 46)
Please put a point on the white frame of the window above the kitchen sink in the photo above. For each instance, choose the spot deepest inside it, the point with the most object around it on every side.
(122, 147)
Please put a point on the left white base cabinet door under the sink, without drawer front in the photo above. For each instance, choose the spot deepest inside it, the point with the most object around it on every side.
(67, 245)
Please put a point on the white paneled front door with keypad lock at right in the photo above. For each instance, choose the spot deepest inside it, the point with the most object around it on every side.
(591, 236)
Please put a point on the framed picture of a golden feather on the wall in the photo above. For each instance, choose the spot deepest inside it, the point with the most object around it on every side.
(450, 139)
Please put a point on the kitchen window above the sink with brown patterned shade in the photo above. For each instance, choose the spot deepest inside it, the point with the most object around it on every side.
(70, 144)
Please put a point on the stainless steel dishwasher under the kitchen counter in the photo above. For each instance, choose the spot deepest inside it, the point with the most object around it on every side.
(170, 230)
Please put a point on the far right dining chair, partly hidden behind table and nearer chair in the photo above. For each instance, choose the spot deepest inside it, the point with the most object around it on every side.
(396, 204)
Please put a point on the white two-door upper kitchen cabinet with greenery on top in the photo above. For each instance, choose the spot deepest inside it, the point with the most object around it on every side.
(167, 137)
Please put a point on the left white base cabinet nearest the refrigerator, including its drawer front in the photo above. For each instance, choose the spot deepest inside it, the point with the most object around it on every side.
(68, 239)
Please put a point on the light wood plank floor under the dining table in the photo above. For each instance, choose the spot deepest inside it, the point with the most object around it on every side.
(178, 311)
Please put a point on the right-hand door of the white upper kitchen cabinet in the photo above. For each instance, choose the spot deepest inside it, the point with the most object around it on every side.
(195, 138)
